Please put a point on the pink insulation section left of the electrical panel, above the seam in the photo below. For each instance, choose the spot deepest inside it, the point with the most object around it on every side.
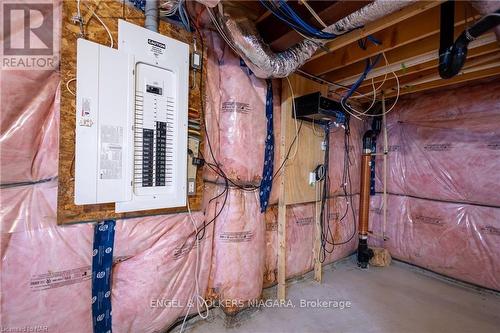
(29, 125)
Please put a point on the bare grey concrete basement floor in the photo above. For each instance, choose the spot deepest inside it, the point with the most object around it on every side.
(399, 298)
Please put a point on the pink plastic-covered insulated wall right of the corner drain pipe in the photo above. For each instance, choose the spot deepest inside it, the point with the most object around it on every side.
(444, 183)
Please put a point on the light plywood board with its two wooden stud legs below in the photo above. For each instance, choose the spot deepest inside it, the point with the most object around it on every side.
(294, 181)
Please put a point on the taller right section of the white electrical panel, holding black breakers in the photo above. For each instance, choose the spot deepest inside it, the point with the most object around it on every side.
(160, 118)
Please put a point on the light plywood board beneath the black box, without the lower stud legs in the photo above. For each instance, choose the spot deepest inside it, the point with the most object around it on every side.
(309, 154)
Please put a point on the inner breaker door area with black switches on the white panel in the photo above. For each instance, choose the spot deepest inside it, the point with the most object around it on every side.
(154, 130)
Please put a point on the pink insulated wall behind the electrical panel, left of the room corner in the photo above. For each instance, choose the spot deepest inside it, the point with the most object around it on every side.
(46, 268)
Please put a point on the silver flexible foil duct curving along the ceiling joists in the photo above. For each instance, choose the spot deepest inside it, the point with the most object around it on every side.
(243, 37)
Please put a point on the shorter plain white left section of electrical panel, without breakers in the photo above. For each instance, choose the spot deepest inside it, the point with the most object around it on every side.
(102, 170)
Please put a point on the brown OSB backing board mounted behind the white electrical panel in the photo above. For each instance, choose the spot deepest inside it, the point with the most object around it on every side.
(109, 12)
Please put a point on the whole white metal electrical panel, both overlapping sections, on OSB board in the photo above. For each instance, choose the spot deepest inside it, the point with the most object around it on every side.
(132, 110)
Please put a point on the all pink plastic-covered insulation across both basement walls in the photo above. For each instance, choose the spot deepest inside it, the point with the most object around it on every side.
(46, 268)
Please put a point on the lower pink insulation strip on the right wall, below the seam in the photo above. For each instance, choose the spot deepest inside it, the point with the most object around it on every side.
(457, 240)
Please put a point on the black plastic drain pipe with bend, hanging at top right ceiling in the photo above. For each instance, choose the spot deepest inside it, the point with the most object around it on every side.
(452, 55)
